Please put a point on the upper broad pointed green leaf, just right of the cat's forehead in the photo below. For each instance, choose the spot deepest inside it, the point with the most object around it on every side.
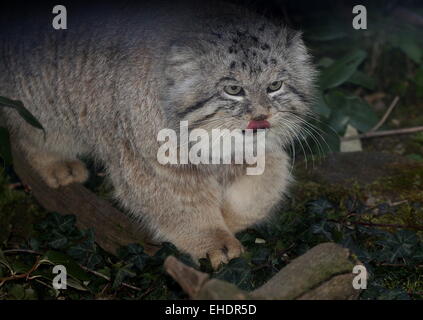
(341, 70)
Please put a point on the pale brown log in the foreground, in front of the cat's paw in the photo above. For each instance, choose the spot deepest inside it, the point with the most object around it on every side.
(322, 273)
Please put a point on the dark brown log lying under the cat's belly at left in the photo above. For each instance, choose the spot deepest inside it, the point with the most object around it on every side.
(112, 228)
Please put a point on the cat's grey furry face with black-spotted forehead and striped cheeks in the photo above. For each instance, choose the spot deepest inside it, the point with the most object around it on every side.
(235, 75)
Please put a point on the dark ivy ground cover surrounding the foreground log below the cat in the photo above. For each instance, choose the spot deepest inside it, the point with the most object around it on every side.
(133, 274)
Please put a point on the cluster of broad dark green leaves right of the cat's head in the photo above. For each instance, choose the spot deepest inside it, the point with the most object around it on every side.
(347, 58)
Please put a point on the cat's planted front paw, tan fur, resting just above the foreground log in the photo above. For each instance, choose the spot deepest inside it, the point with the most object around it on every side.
(219, 247)
